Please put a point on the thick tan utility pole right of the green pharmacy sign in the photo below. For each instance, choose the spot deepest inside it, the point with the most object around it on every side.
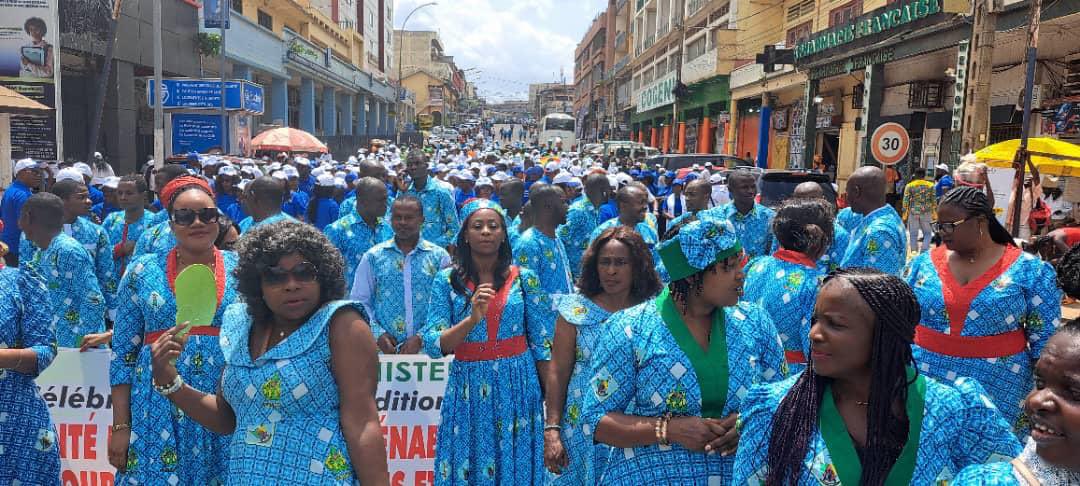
(980, 70)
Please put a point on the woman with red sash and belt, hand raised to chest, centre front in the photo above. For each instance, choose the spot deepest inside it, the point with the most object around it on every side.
(497, 323)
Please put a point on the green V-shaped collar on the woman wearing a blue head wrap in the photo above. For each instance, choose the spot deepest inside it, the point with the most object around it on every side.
(711, 367)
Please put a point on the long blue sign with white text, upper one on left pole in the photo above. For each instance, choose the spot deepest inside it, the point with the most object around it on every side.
(207, 94)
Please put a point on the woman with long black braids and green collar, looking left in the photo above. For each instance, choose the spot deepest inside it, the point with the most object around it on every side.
(861, 414)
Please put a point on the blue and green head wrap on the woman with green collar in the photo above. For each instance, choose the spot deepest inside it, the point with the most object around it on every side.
(697, 247)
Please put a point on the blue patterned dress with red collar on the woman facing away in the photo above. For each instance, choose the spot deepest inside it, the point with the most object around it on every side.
(788, 292)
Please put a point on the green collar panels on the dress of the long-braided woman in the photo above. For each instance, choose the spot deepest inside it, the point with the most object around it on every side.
(843, 451)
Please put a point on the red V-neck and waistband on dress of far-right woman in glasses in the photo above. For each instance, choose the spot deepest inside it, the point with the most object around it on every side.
(958, 301)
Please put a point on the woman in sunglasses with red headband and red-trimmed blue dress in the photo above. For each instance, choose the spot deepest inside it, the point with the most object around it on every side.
(152, 443)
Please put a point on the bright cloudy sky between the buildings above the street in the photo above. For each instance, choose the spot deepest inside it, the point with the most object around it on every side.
(511, 43)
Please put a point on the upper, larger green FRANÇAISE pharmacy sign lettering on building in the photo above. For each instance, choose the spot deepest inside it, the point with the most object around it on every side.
(880, 21)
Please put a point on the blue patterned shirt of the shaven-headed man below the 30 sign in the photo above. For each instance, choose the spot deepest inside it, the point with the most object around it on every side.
(879, 241)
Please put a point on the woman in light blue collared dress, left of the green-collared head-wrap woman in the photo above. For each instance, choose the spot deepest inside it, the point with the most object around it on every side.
(617, 274)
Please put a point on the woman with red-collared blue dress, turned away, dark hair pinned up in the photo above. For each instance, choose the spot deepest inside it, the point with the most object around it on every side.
(786, 283)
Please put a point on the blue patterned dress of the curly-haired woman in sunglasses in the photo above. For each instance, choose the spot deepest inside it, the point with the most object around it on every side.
(287, 403)
